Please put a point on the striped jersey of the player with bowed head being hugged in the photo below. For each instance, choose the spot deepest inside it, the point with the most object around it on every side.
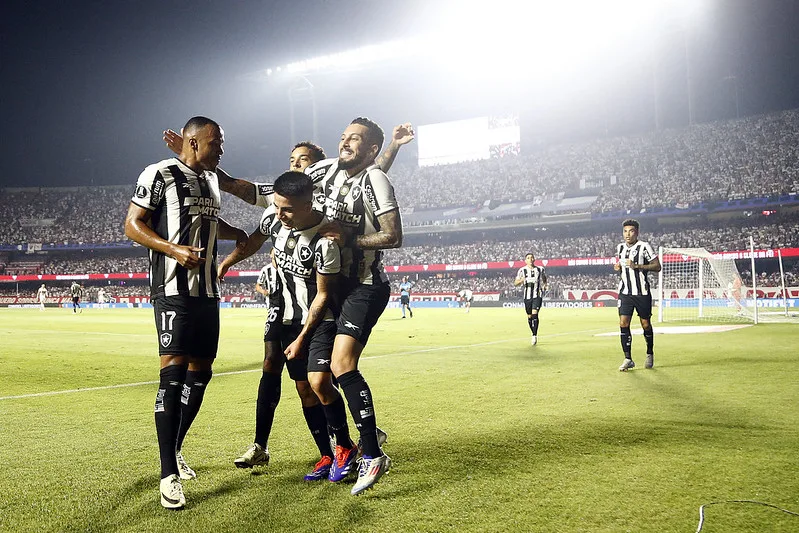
(299, 255)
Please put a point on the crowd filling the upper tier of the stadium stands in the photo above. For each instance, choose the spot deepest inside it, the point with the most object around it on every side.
(747, 158)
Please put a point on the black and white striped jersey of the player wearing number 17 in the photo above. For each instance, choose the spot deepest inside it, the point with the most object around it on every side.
(185, 211)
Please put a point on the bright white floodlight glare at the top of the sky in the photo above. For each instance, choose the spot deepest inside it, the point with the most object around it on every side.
(517, 39)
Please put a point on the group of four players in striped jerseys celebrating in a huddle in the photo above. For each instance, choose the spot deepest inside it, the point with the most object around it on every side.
(327, 221)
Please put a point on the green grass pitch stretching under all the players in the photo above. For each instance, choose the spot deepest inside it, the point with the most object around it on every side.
(487, 433)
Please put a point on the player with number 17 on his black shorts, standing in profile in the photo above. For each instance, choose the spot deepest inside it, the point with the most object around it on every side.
(174, 213)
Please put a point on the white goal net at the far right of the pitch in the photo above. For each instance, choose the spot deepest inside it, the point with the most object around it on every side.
(696, 285)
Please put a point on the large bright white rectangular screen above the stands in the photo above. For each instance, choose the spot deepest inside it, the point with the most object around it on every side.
(468, 140)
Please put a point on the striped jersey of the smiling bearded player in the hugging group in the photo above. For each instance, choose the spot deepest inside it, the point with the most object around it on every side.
(356, 202)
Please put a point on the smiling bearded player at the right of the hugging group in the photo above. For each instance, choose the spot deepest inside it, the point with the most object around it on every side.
(356, 193)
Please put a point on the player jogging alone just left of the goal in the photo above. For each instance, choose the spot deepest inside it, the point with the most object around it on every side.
(634, 259)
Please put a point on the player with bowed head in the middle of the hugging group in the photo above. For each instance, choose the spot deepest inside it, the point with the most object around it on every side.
(300, 326)
